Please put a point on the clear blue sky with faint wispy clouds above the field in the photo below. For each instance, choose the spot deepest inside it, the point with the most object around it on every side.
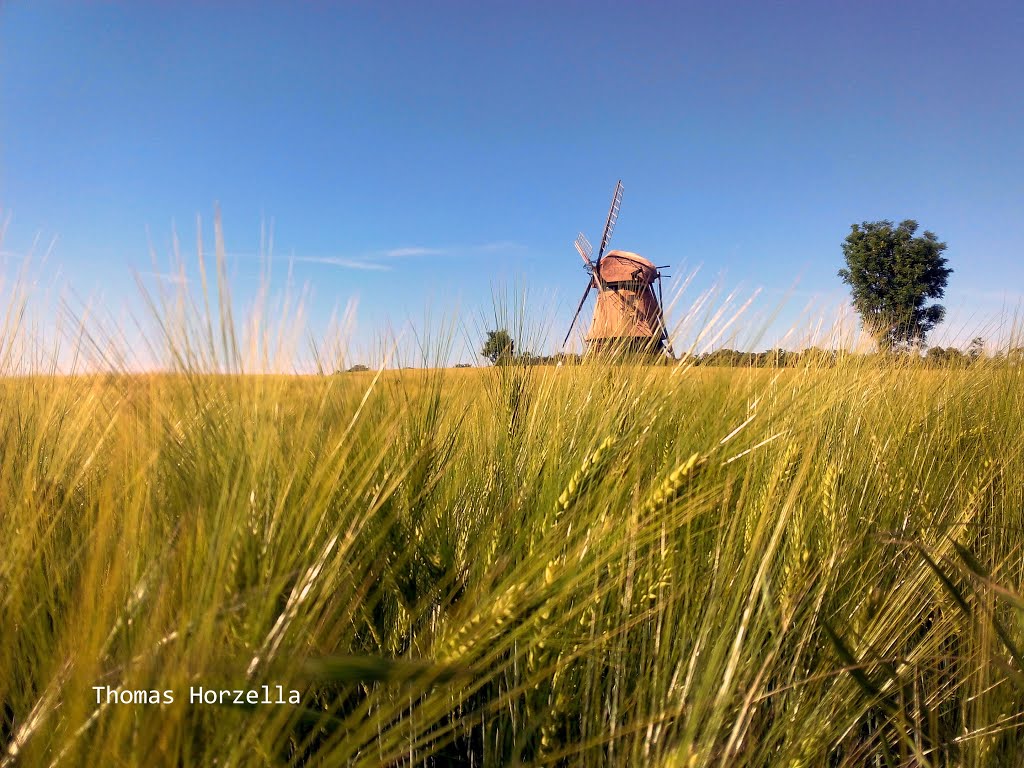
(417, 155)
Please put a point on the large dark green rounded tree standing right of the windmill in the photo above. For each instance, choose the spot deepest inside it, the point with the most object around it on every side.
(892, 275)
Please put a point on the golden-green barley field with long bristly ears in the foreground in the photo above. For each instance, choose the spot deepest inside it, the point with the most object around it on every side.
(592, 565)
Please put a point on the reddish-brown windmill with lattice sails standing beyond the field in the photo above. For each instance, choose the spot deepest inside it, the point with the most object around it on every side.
(629, 316)
